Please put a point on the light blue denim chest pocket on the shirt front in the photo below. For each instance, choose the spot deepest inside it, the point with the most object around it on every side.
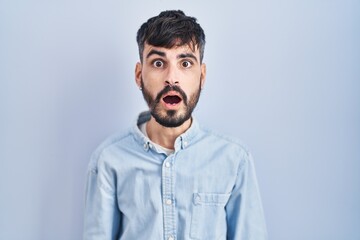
(208, 220)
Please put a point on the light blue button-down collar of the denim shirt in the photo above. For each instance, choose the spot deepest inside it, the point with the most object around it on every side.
(183, 141)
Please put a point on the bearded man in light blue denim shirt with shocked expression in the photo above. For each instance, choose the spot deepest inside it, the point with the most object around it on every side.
(167, 177)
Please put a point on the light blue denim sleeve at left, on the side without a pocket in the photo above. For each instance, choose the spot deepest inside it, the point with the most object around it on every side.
(102, 216)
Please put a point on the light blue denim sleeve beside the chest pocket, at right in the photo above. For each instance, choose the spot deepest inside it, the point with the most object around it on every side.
(245, 216)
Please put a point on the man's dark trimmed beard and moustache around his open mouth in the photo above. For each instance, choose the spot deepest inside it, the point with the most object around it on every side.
(171, 118)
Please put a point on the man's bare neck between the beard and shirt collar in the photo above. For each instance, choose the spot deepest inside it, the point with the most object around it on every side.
(165, 136)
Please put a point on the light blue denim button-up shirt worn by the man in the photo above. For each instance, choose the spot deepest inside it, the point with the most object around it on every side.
(206, 189)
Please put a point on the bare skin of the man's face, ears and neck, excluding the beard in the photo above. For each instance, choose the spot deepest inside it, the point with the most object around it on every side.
(160, 67)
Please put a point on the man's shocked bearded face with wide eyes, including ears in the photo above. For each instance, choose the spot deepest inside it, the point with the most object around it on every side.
(171, 81)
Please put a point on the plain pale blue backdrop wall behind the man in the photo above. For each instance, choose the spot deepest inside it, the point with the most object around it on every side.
(283, 76)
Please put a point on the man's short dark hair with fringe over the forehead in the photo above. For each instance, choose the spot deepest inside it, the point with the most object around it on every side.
(171, 28)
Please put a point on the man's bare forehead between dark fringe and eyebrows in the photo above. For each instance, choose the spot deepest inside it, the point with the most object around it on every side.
(172, 52)
